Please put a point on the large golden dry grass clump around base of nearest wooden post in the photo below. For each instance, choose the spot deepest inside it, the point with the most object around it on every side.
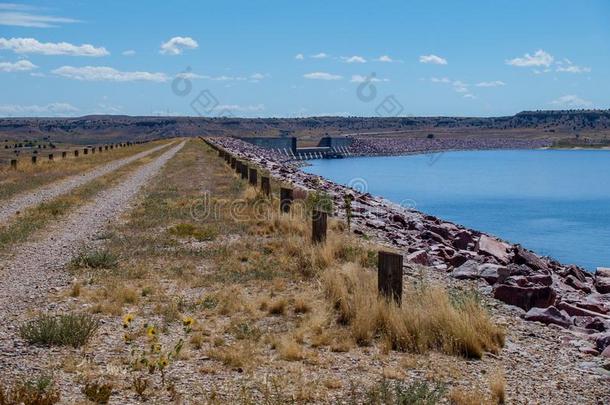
(429, 318)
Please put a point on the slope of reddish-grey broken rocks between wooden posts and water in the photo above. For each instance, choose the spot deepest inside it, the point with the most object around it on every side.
(537, 288)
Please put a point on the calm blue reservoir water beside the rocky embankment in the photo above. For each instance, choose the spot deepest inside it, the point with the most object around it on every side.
(556, 203)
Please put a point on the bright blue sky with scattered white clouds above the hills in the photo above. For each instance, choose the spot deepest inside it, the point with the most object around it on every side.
(292, 59)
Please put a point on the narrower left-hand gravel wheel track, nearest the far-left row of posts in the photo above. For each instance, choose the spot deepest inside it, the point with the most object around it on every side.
(50, 191)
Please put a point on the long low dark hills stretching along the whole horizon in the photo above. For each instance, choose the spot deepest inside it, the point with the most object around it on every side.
(106, 128)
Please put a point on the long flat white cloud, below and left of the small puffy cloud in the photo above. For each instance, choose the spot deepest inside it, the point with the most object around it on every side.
(104, 73)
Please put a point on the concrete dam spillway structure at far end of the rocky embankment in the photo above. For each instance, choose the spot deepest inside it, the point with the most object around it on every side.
(328, 148)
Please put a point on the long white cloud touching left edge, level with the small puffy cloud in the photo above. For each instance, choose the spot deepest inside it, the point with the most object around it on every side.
(31, 45)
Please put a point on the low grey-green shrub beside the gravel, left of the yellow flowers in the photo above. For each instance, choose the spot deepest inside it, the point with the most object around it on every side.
(60, 330)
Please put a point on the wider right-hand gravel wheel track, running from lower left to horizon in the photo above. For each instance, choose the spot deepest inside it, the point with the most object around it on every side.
(35, 269)
